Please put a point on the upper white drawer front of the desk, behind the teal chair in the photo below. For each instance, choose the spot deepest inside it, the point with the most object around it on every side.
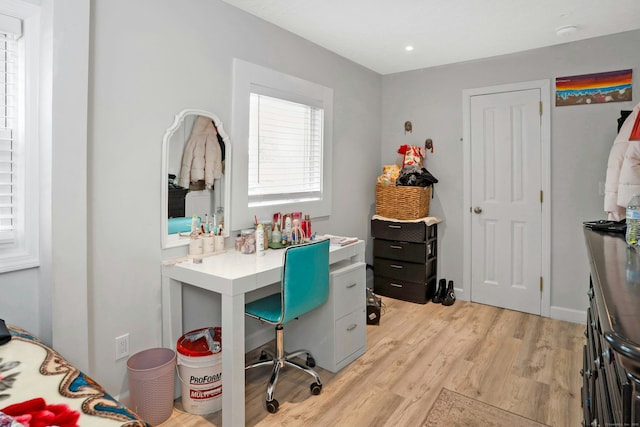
(348, 285)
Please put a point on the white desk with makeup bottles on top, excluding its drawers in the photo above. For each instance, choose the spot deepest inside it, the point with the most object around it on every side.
(232, 275)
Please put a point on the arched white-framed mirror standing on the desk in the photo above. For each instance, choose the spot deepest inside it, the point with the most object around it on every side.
(196, 161)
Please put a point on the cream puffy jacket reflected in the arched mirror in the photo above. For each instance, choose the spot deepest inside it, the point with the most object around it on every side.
(202, 157)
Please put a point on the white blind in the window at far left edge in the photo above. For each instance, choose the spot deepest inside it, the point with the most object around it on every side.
(9, 153)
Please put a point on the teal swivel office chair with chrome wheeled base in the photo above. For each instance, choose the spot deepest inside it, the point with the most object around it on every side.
(304, 285)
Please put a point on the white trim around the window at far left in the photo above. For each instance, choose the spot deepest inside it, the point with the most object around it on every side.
(24, 252)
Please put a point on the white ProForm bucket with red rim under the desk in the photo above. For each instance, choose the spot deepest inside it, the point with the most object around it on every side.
(200, 371)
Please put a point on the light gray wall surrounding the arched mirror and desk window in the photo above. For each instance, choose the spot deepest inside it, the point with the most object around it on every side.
(149, 60)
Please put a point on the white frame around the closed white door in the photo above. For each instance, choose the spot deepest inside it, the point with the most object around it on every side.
(545, 133)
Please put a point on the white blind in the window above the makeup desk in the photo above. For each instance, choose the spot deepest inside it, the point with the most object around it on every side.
(285, 151)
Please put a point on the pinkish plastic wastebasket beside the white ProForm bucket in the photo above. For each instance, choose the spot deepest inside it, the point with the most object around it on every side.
(151, 383)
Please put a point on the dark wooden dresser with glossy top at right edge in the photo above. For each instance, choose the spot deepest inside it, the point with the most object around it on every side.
(611, 355)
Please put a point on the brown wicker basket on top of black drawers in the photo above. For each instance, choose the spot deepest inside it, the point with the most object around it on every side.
(402, 202)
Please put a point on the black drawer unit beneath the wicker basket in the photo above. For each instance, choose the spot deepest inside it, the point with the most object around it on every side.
(404, 259)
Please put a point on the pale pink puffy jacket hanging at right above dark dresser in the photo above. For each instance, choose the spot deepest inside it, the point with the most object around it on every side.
(623, 170)
